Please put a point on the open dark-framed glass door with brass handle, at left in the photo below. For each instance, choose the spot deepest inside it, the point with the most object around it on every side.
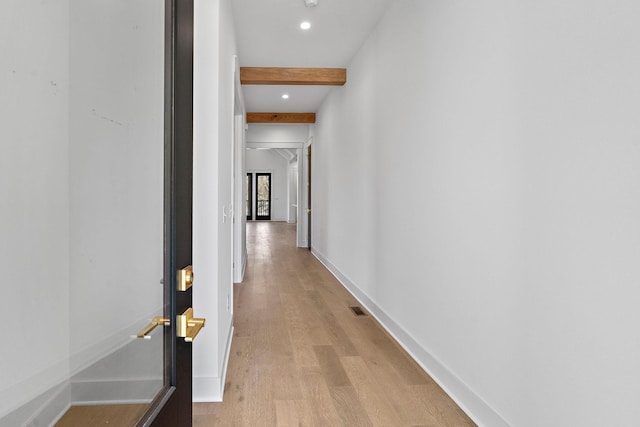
(84, 201)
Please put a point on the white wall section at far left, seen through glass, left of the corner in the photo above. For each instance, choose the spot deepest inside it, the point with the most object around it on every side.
(34, 199)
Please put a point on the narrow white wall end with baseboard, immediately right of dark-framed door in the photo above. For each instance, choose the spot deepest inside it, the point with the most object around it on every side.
(214, 52)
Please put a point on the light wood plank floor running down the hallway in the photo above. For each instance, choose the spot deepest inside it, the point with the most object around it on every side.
(300, 357)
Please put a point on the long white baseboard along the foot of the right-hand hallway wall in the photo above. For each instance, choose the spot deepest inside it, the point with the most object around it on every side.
(472, 404)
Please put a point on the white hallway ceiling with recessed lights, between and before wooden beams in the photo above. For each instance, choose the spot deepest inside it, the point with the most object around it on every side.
(269, 35)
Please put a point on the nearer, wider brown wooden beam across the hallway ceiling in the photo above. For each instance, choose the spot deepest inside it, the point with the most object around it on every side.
(293, 76)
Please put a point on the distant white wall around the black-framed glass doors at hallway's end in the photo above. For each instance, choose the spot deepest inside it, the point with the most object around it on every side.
(271, 162)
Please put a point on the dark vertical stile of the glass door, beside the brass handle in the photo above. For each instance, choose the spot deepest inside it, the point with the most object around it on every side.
(172, 405)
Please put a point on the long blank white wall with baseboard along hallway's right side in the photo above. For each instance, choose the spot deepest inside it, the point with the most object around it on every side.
(476, 182)
